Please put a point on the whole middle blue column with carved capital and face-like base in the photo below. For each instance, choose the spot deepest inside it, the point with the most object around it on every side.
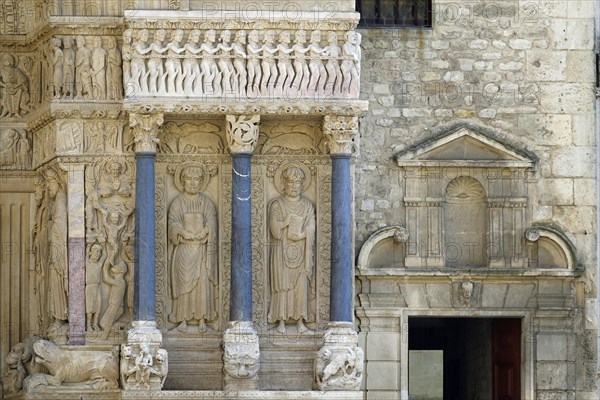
(241, 351)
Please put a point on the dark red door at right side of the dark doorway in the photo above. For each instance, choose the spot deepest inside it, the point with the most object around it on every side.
(506, 359)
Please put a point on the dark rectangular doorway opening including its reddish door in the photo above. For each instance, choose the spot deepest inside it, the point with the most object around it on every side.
(466, 358)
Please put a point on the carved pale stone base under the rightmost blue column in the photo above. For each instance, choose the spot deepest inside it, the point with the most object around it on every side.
(339, 363)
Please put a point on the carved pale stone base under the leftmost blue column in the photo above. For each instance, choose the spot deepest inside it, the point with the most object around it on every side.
(144, 365)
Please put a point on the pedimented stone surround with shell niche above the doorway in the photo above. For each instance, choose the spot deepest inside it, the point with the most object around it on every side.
(492, 174)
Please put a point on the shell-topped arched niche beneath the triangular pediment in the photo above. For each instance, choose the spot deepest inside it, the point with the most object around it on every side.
(465, 223)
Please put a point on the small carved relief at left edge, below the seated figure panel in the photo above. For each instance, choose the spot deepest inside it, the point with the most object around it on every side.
(15, 149)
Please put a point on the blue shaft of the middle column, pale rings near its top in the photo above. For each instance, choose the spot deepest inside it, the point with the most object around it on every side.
(241, 239)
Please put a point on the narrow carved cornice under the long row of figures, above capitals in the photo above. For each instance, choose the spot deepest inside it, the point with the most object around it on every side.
(224, 106)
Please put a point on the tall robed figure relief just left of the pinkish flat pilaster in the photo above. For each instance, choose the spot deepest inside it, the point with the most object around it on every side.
(57, 258)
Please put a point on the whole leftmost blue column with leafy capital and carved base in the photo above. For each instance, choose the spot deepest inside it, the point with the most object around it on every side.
(144, 363)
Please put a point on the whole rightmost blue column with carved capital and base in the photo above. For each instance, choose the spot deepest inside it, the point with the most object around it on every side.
(339, 363)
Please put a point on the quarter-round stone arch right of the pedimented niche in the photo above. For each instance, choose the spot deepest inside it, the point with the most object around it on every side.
(549, 248)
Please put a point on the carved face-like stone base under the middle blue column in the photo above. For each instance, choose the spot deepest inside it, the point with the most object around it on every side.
(241, 356)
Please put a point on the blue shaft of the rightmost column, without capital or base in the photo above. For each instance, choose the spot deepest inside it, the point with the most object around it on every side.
(340, 306)
